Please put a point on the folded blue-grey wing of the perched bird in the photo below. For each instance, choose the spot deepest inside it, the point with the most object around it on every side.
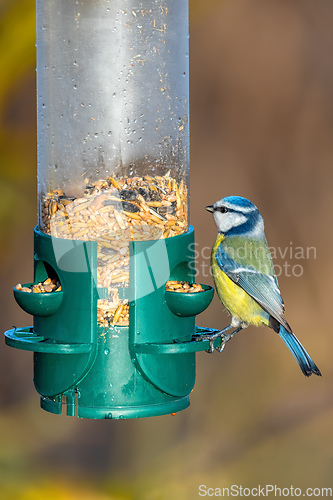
(263, 288)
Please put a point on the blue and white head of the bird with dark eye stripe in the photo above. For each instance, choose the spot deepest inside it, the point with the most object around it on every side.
(235, 215)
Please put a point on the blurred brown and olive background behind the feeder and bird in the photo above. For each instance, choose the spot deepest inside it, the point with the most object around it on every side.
(261, 127)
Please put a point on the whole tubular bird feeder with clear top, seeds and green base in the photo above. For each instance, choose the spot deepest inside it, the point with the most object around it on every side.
(109, 340)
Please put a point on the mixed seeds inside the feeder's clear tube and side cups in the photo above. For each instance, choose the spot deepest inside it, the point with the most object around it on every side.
(114, 212)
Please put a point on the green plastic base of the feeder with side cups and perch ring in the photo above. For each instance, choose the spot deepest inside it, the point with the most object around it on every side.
(89, 371)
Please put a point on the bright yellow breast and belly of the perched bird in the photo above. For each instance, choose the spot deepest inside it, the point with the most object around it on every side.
(237, 302)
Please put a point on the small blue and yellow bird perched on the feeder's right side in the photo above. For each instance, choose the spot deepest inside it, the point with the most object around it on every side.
(245, 279)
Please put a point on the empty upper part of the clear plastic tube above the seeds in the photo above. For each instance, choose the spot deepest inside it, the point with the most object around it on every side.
(112, 87)
